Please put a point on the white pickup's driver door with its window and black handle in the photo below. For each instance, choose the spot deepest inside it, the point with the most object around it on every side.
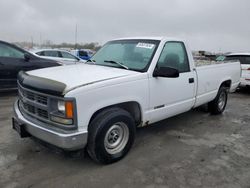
(171, 96)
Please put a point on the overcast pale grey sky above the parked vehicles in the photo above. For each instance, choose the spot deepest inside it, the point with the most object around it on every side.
(213, 25)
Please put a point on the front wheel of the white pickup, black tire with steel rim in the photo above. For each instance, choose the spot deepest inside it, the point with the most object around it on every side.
(100, 135)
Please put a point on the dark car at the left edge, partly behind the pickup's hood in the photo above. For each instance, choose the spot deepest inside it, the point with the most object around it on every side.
(14, 59)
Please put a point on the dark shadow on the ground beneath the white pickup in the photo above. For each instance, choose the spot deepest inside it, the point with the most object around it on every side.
(144, 136)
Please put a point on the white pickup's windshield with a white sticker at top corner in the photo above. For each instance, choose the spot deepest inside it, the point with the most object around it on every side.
(133, 54)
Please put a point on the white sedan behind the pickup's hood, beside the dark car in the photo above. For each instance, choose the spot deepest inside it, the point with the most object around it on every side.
(59, 55)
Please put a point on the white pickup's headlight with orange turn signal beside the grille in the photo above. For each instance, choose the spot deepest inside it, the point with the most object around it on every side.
(63, 112)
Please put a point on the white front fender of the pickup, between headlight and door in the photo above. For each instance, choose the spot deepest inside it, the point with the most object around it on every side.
(89, 102)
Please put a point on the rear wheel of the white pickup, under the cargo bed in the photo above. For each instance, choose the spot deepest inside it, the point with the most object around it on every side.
(218, 105)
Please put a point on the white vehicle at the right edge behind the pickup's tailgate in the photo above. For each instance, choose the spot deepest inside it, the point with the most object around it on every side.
(244, 59)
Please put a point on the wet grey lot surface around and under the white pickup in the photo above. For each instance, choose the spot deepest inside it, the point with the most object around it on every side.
(193, 149)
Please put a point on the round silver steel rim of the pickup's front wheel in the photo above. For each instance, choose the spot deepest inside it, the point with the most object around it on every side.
(116, 138)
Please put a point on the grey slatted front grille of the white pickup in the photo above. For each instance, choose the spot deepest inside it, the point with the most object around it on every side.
(33, 103)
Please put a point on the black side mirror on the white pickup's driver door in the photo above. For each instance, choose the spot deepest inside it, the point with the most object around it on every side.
(167, 72)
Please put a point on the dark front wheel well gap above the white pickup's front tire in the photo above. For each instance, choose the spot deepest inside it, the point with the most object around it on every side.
(132, 107)
